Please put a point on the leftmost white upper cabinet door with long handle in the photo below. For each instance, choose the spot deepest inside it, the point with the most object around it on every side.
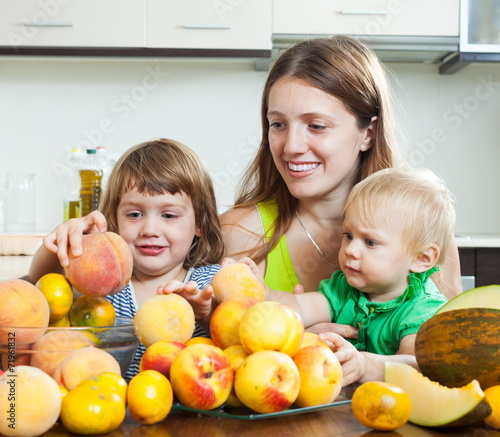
(72, 23)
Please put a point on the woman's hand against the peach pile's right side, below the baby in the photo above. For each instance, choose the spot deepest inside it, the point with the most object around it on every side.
(352, 361)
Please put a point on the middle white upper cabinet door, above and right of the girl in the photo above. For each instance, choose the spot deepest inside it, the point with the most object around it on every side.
(210, 24)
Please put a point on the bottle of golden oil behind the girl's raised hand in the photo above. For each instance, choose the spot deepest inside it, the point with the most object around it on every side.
(90, 176)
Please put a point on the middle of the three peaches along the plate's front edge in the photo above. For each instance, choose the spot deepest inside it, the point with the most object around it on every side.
(267, 381)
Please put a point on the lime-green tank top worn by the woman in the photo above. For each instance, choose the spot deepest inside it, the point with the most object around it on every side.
(280, 274)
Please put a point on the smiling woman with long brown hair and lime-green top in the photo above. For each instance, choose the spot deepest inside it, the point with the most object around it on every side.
(327, 123)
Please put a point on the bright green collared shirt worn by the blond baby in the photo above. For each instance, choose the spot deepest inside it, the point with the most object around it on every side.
(382, 325)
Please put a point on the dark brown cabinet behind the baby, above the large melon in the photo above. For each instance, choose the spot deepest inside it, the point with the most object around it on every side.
(481, 262)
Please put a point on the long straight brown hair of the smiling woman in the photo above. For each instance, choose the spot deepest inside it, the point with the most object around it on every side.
(347, 69)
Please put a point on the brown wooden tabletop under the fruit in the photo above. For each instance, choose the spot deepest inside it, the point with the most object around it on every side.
(336, 421)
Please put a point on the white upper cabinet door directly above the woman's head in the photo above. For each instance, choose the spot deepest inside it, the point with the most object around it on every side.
(367, 17)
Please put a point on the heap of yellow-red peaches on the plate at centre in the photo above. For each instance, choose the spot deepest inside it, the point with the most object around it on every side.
(258, 355)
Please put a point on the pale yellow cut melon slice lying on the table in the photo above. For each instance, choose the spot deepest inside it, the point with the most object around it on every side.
(435, 405)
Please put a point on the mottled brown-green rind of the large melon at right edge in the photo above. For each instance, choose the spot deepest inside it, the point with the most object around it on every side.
(457, 346)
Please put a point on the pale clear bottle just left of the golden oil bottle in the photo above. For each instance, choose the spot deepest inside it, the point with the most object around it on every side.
(71, 185)
